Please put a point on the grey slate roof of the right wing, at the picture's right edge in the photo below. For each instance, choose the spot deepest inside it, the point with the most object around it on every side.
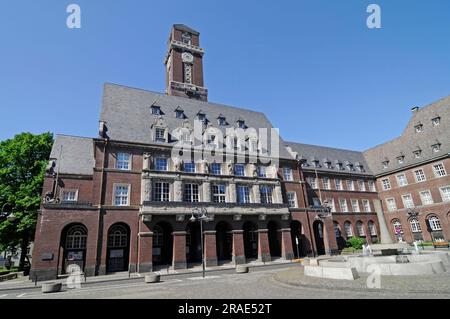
(411, 141)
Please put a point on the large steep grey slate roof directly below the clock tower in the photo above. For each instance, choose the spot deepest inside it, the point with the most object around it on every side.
(128, 117)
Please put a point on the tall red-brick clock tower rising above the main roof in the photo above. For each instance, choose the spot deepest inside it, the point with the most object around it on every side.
(184, 66)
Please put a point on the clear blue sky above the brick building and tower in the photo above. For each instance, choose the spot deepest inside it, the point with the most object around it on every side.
(313, 67)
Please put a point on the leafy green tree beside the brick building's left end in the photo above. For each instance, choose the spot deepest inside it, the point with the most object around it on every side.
(23, 160)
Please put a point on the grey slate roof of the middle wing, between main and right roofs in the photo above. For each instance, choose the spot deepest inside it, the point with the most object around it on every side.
(333, 155)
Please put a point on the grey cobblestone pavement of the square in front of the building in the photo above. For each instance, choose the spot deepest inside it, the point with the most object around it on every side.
(282, 283)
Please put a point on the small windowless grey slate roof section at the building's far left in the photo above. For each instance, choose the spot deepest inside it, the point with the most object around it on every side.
(77, 156)
